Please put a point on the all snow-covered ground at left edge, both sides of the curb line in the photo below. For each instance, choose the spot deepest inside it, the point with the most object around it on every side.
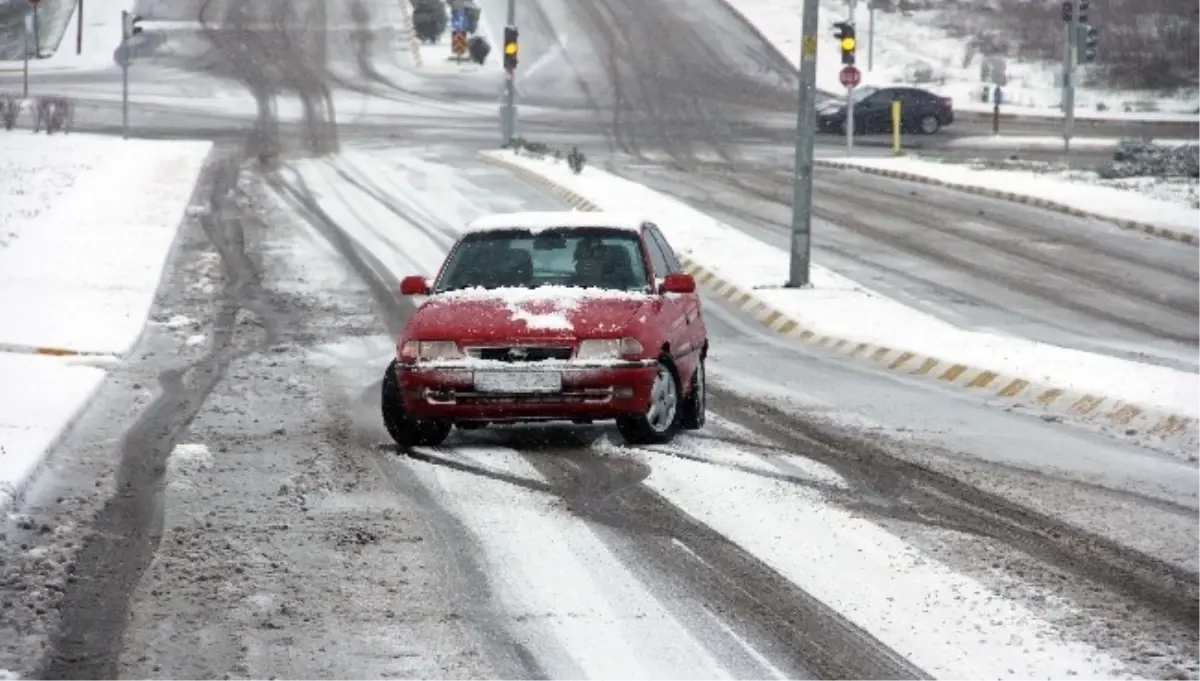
(87, 225)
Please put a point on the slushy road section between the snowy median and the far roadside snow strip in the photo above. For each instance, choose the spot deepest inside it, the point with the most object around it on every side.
(975, 262)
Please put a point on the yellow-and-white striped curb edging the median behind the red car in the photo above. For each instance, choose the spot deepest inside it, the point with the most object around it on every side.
(1101, 411)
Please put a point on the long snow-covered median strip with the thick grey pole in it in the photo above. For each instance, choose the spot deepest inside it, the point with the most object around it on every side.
(842, 309)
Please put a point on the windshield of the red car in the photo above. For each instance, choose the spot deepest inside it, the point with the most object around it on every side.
(572, 257)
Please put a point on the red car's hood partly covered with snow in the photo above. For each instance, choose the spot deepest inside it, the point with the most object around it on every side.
(526, 315)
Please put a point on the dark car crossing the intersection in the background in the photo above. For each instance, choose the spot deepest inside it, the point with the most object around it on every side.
(921, 112)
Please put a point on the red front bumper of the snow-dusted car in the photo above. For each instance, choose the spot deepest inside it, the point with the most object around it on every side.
(591, 393)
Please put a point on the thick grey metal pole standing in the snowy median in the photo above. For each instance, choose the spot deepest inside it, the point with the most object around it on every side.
(806, 135)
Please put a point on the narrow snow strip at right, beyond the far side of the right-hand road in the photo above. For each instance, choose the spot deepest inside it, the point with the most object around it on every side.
(1107, 200)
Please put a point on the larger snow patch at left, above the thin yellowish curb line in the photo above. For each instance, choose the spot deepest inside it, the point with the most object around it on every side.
(85, 255)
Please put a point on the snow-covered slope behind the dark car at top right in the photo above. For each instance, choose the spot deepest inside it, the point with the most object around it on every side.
(903, 45)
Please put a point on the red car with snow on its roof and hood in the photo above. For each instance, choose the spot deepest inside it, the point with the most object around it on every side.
(535, 317)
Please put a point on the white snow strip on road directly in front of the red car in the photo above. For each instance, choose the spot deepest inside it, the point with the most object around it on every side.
(571, 601)
